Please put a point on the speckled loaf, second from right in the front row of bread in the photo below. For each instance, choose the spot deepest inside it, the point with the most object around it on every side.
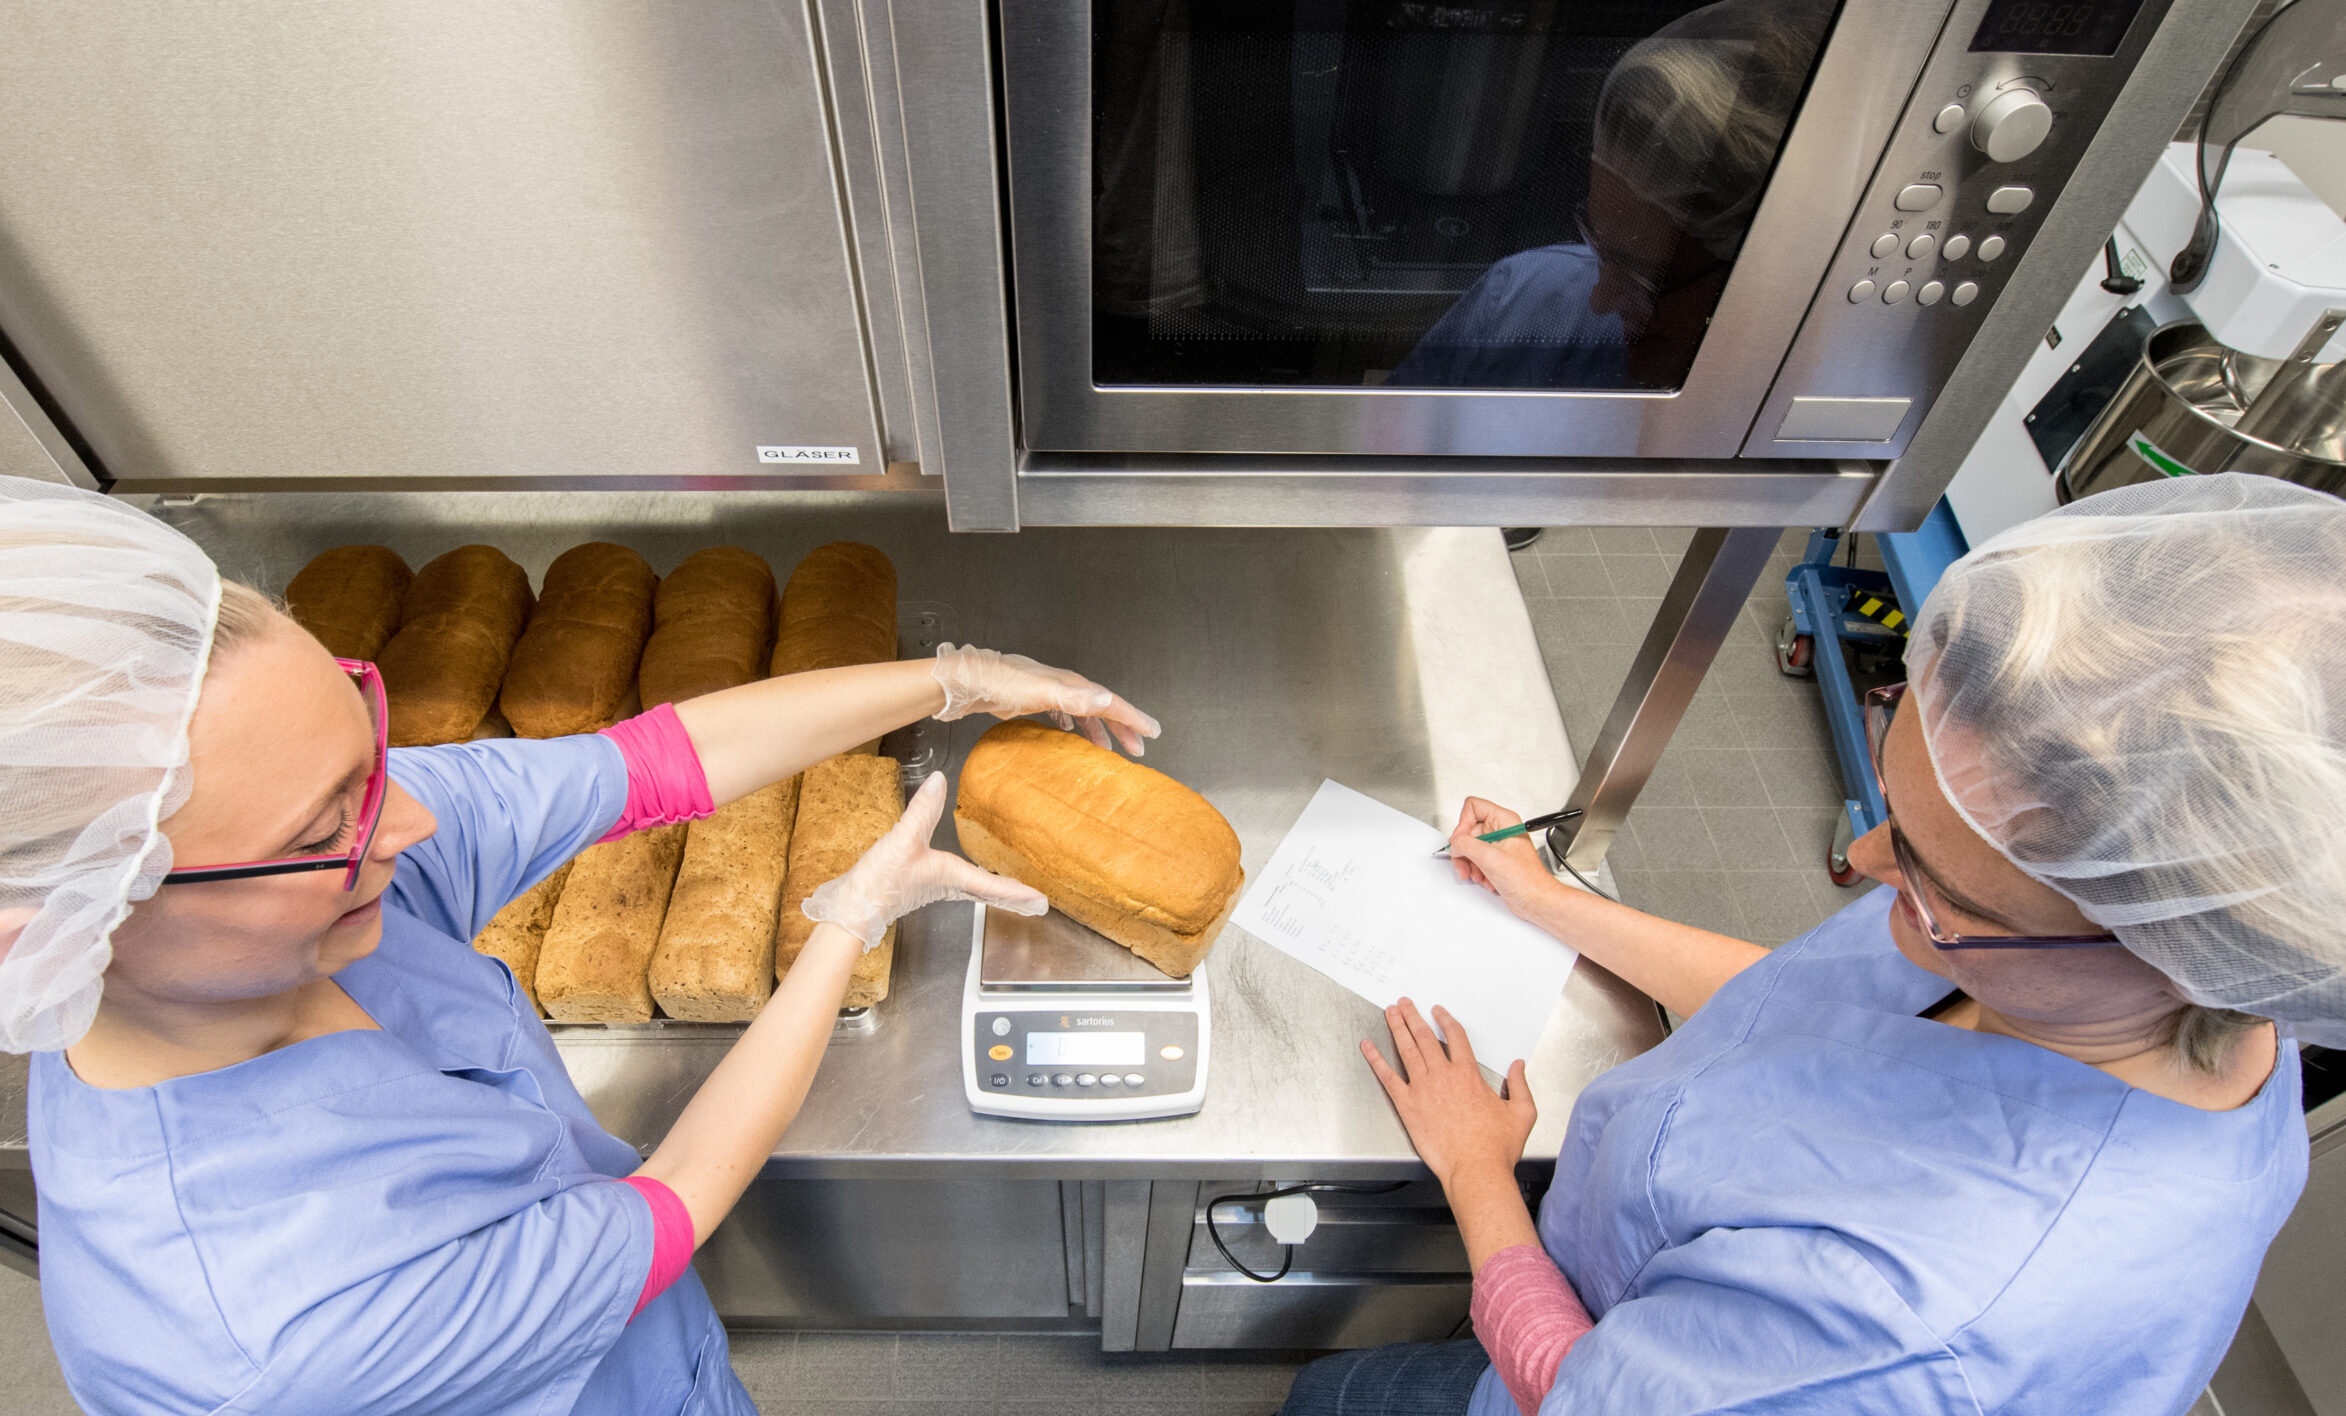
(717, 948)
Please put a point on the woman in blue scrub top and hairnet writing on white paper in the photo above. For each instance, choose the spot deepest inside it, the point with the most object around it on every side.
(2005, 1136)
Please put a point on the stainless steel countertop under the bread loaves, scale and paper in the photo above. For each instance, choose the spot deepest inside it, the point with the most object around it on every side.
(1399, 662)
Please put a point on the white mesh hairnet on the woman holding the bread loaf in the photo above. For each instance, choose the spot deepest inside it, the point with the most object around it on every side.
(104, 629)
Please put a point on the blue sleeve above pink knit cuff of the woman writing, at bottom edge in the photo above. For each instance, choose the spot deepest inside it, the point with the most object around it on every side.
(1779, 1321)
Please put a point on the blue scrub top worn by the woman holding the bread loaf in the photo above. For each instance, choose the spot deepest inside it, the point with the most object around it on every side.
(409, 1220)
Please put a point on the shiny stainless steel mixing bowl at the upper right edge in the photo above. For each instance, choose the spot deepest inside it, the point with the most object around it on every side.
(2195, 404)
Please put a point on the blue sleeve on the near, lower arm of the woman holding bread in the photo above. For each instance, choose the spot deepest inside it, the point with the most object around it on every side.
(513, 1316)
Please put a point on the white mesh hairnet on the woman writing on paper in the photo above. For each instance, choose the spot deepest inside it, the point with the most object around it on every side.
(2141, 700)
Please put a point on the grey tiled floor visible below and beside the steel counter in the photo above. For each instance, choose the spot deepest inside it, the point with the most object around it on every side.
(1730, 833)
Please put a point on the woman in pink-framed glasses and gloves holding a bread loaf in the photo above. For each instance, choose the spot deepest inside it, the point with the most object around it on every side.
(299, 1145)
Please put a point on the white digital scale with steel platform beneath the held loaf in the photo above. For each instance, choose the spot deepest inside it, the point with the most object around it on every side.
(1066, 1026)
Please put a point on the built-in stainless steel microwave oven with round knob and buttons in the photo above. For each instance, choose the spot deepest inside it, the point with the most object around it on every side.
(1528, 229)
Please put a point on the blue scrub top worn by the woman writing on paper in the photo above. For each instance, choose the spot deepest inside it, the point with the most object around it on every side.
(1810, 1199)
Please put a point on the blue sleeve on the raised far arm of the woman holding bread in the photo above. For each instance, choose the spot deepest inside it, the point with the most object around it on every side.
(510, 812)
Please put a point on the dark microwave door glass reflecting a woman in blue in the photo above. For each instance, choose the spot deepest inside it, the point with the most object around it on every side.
(1428, 196)
